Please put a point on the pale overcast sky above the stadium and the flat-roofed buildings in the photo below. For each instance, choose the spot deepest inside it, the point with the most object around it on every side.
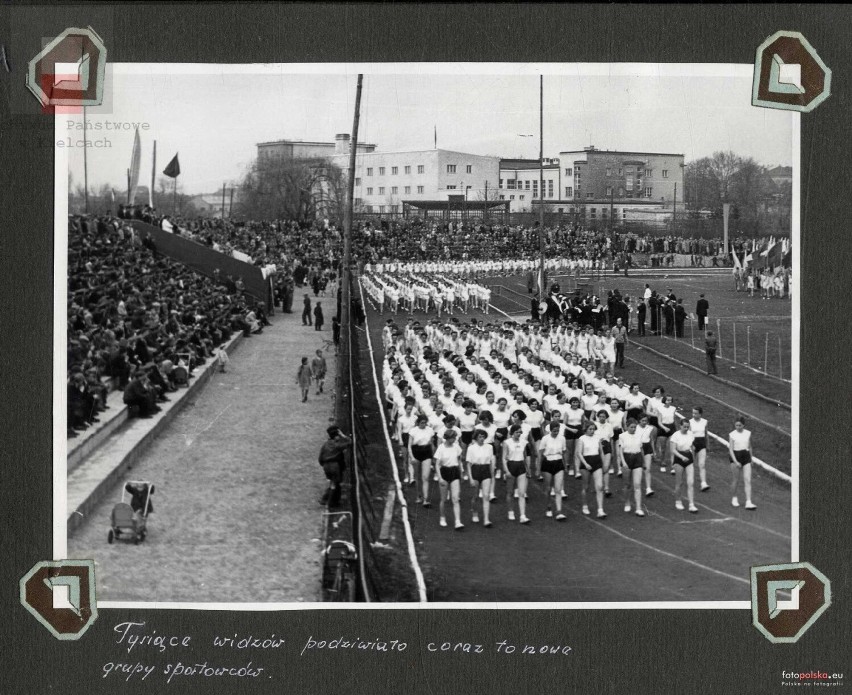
(215, 118)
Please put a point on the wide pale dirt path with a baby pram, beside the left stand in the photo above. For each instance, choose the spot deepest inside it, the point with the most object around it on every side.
(236, 516)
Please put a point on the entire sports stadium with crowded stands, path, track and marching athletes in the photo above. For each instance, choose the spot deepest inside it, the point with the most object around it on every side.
(537, 407)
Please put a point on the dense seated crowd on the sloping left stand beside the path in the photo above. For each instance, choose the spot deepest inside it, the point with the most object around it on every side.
(137, 318)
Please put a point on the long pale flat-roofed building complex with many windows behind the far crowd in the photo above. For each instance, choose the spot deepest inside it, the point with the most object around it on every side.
(592, 184)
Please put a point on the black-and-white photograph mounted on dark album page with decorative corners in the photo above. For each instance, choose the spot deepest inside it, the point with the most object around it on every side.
(440, 334)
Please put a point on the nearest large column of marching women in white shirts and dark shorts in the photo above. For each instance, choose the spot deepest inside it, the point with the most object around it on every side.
(505, 404)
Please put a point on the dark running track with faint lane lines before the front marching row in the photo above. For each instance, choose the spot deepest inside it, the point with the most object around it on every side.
(666, 556)
